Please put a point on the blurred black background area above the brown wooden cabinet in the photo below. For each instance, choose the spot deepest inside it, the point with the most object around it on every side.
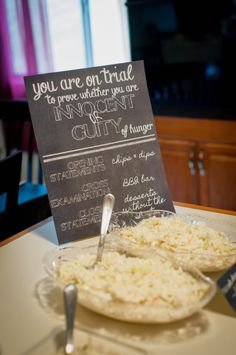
(189, 49)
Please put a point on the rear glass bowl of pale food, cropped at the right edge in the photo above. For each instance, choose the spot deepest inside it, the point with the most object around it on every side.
(173, 243)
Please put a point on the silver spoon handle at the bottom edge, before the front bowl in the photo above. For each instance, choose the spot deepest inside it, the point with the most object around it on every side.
(70, 301)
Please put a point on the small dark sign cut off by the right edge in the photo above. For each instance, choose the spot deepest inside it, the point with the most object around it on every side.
(227, 285)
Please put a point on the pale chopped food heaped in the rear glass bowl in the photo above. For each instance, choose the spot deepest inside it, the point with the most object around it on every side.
(195, 243)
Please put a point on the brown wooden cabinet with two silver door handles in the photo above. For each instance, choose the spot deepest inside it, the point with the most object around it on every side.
(200, 160)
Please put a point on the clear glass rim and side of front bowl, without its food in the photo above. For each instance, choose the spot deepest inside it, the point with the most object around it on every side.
(128, 312)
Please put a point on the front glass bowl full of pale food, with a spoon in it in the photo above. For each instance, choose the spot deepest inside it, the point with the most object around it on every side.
(104, 302)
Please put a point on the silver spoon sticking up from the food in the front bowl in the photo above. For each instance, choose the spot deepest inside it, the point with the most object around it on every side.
(107, 208)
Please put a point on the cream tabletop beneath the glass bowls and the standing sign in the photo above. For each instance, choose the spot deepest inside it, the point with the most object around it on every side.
(31, 308)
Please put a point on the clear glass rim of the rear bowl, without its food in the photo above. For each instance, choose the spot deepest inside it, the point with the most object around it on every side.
(206, 262)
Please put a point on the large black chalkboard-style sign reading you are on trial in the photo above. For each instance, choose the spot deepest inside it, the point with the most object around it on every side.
(96, 134)
